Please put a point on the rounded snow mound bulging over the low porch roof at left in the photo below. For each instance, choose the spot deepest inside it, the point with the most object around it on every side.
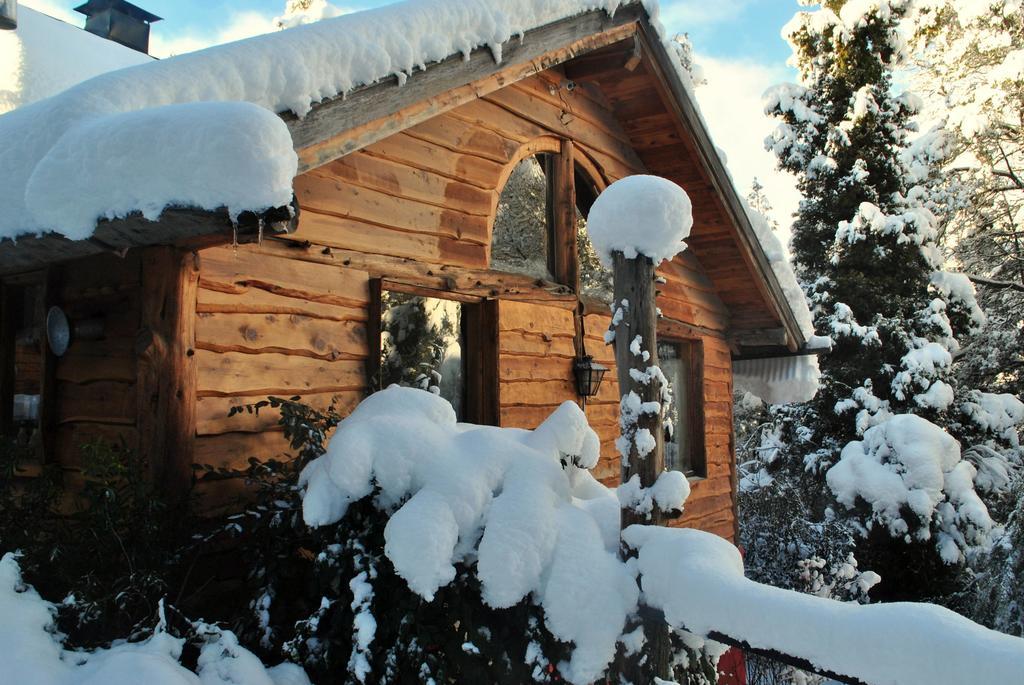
(239, 156)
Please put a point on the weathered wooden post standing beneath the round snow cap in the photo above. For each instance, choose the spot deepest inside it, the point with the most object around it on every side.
(637, 315)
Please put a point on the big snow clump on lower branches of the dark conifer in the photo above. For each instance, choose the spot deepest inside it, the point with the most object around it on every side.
(908, 463)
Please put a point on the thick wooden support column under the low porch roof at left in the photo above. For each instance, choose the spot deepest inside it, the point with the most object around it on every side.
(167, 372)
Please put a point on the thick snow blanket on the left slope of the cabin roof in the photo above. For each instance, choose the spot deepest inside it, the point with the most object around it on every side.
(286, 71)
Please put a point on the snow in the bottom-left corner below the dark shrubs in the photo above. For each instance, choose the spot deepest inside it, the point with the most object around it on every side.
(32, 655)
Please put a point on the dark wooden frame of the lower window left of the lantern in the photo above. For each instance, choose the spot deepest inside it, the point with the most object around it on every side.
(480, 335)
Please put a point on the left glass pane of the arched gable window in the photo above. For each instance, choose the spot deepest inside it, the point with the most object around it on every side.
(520, 243)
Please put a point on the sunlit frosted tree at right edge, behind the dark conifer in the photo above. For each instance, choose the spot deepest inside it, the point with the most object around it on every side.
(970, 70)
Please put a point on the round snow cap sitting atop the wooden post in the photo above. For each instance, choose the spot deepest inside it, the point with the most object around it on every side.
(641, 216)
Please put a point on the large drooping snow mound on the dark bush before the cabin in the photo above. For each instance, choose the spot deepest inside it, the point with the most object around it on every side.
(514, 501)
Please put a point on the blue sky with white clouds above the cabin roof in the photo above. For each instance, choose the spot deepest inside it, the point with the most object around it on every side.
(738, 44)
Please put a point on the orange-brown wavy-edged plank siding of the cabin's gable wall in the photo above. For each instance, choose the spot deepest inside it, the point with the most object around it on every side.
(290, 317)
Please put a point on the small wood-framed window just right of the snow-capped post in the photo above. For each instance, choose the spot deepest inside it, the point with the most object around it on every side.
(681, 364)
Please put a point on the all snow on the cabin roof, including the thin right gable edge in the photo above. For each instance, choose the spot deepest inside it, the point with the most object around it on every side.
(202, 131)
